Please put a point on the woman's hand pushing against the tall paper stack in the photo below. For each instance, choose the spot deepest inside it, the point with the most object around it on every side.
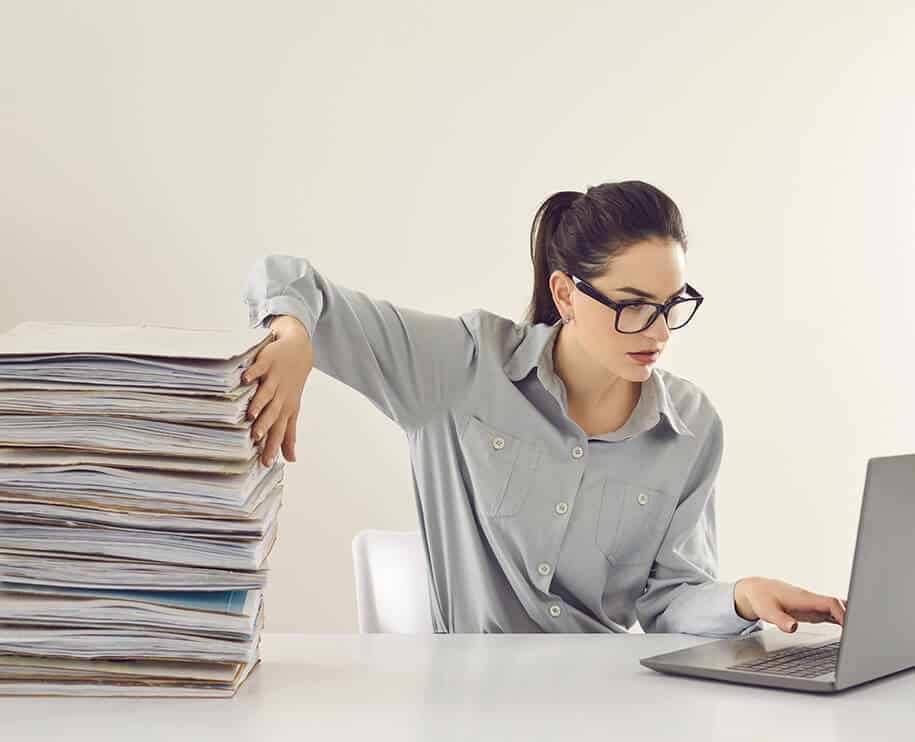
(282, 367)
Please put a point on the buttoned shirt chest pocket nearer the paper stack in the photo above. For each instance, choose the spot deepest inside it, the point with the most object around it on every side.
(501, 467)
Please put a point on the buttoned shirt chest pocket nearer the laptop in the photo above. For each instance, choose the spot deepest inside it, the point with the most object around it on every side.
(631, 522)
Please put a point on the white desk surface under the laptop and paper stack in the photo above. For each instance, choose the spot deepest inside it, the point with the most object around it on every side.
(472, 687)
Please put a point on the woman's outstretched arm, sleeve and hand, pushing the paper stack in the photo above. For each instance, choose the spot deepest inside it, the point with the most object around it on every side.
(410, 364)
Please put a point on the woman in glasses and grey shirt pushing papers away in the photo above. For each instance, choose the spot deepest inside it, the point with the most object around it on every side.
(564, 484)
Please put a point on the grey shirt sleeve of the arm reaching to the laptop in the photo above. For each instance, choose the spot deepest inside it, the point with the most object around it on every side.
(683, 594)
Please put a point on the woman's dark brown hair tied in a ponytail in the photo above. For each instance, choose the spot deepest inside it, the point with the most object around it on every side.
(582, 233)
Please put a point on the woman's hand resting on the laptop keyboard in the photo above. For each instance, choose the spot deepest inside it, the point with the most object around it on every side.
(780, 603)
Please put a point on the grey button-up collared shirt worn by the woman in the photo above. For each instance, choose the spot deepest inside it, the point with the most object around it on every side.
(528, 523)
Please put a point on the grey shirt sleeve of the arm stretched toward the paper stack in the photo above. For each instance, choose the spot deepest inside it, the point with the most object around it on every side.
(410, 364)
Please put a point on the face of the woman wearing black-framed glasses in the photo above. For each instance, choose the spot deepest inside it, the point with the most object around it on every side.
(654, 267)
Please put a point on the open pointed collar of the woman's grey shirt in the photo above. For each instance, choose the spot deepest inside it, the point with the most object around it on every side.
(536, 351)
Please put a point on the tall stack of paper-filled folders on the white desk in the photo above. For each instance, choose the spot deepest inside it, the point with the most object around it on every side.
(135, 516)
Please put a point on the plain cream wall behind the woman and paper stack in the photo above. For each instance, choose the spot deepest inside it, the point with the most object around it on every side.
(151, 151)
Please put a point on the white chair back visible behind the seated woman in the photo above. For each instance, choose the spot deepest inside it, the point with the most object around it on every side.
(392, 593)
